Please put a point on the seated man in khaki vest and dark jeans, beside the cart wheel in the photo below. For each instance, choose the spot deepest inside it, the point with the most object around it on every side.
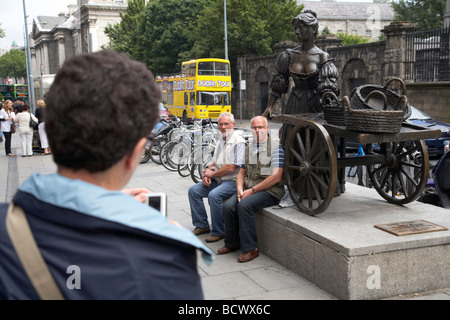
(259, 184)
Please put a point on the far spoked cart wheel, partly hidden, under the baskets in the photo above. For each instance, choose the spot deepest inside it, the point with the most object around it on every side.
(403, 178)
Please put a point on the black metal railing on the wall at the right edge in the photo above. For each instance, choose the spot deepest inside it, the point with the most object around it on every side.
(428, 55)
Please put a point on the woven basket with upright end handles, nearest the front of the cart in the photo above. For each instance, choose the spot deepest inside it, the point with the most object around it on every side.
(372, 119)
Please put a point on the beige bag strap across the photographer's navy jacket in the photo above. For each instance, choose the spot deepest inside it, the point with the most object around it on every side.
(23, 241)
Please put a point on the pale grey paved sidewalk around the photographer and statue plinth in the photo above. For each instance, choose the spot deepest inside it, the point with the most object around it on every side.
(225, 279)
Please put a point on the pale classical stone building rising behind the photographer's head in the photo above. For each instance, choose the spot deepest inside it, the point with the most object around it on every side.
(54, 39)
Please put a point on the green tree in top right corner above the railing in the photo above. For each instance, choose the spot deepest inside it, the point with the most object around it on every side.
(428, 14)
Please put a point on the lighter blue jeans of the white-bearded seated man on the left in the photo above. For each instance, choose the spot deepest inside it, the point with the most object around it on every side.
(216, 193)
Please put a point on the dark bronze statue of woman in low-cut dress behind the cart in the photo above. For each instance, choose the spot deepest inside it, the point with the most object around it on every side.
(310, 68)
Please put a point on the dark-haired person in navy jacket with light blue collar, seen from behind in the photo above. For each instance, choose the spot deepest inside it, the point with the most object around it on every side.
(98, 241)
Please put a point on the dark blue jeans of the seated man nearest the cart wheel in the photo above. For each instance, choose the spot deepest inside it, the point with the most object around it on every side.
(240, 225)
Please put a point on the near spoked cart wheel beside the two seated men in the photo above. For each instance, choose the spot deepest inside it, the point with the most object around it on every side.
(311, 167)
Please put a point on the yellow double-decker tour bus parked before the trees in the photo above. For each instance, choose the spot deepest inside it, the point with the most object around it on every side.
(202, 90)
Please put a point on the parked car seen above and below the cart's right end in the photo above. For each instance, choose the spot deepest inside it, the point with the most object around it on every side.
(435, 146)
